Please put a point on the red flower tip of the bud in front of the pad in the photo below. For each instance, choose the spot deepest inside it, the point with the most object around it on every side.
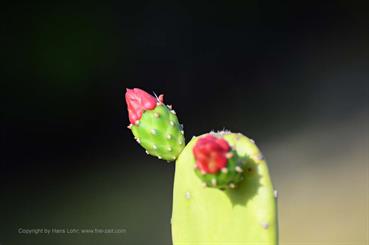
(210, 154)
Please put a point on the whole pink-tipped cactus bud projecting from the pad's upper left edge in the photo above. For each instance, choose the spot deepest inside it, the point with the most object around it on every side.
(154, 126)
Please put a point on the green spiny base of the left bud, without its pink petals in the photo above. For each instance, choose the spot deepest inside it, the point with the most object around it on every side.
(159, 132)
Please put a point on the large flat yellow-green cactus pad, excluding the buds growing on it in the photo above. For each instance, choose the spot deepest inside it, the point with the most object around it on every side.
(244, 215)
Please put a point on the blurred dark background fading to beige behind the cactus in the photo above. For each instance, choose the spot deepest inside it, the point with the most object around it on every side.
(293, 76)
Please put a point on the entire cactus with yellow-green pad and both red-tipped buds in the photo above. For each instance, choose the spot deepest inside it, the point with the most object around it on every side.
(222, 190)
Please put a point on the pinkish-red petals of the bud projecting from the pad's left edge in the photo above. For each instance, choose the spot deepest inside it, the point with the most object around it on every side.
(137, 102)
